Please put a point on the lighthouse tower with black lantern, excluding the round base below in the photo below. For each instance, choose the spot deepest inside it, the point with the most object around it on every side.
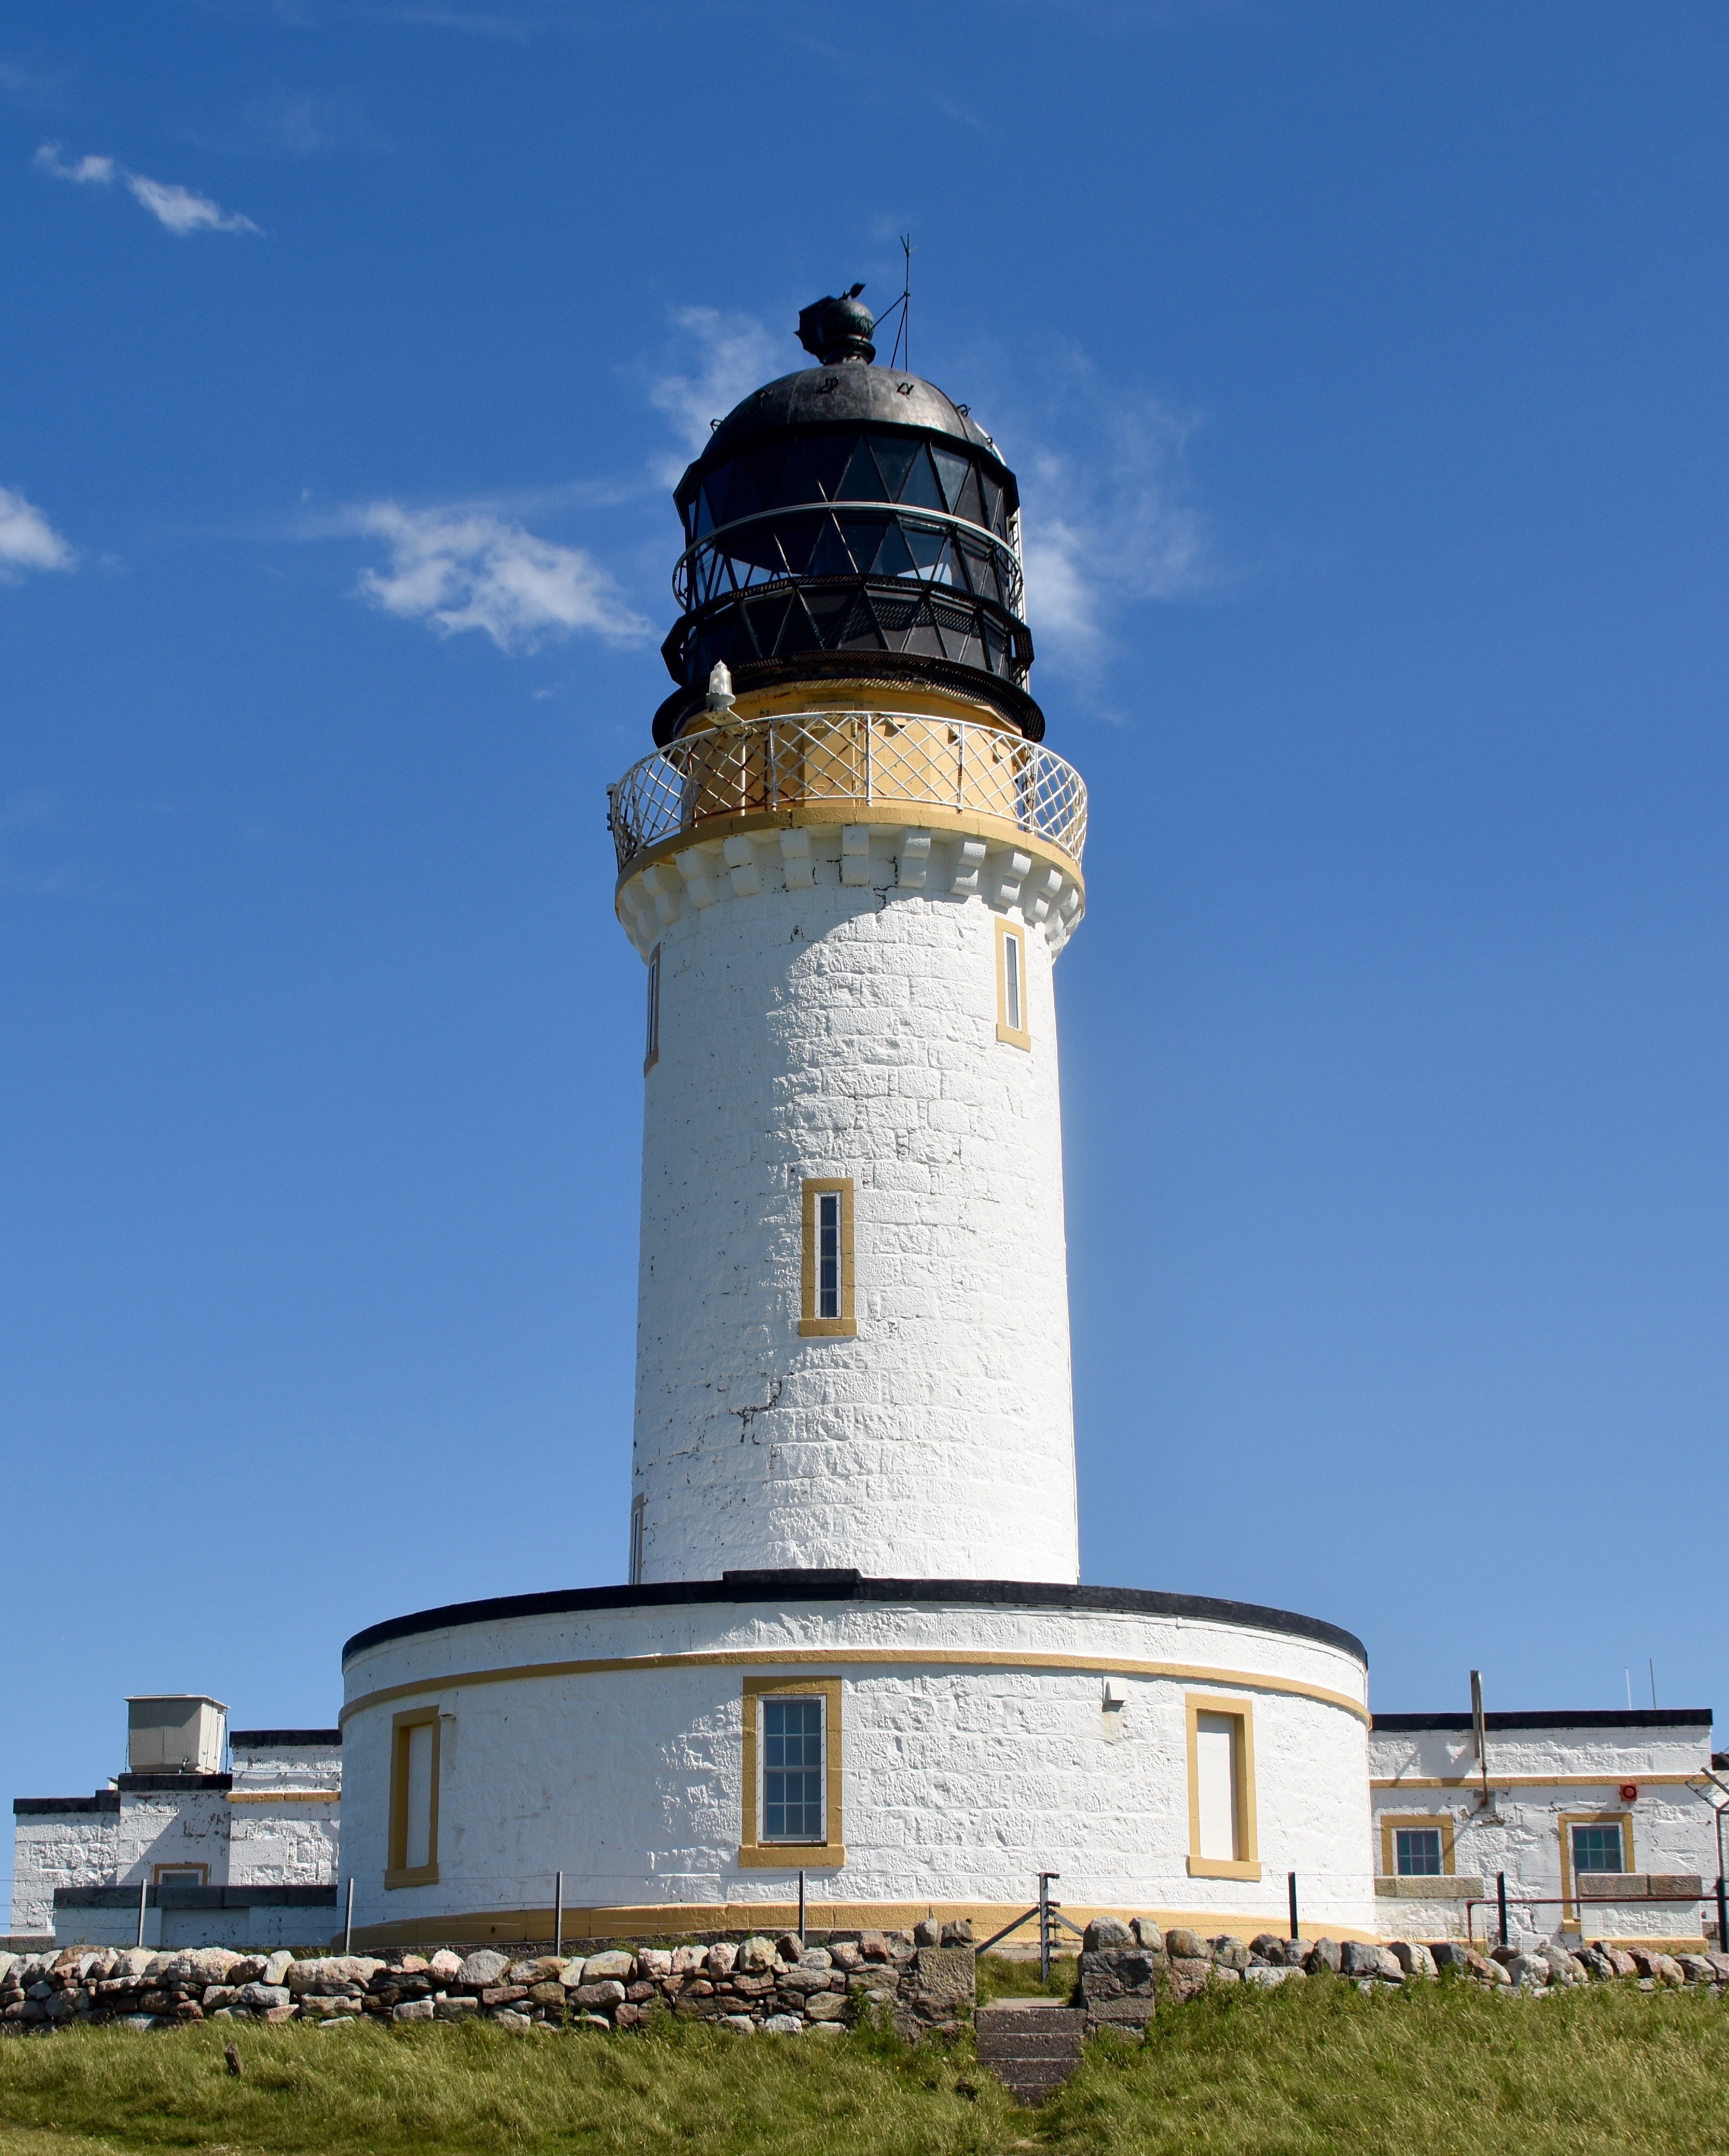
(850, 870)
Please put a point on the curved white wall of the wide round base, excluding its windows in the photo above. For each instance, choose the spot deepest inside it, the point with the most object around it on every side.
(978, 1750)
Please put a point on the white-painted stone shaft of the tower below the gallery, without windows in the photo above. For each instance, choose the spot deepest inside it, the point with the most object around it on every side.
(848, 1029)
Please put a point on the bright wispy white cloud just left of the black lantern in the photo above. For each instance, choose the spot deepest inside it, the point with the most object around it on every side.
(473, 570)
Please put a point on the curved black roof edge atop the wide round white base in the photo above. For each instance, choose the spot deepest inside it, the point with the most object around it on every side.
(831, 1586)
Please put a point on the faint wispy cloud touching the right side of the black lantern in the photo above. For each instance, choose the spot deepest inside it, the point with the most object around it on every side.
(1109, 519)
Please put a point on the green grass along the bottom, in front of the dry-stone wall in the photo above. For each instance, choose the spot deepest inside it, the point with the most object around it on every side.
(1308, 2071)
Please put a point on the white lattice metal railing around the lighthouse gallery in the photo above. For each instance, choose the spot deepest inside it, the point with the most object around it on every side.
(887, 764)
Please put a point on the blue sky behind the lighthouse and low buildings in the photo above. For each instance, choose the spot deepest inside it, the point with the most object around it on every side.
(1364, 368)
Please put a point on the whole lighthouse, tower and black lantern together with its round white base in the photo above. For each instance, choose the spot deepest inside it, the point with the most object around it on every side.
(853, 1646)
